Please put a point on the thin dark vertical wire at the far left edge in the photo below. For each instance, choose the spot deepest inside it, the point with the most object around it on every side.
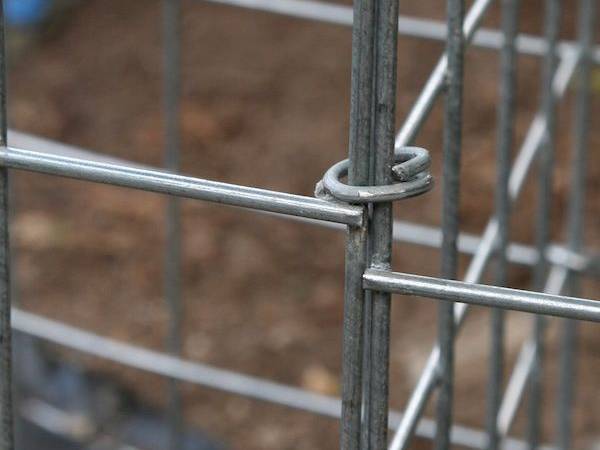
(6, 409)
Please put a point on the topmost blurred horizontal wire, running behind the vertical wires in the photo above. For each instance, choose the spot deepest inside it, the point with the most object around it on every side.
(408, 26)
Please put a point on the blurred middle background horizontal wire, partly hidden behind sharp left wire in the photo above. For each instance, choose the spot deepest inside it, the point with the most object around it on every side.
(404, 231)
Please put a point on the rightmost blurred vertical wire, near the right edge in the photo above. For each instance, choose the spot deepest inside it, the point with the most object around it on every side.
(575, 219)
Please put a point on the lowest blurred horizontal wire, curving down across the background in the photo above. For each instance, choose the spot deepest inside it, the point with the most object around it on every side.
(163, 364)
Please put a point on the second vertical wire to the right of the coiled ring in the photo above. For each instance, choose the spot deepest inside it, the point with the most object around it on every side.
(505, 143)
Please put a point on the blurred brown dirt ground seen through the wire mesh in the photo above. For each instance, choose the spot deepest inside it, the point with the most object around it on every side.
(265, 103)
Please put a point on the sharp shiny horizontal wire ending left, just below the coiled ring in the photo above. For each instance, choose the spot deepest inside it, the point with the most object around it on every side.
(181, 186)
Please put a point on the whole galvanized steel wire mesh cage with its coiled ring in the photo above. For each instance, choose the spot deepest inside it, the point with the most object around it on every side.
(357, 195)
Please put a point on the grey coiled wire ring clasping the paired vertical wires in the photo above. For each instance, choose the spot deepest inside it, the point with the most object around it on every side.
(410, 170)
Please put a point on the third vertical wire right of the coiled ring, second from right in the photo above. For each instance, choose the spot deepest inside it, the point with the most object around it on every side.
(546, 157)
